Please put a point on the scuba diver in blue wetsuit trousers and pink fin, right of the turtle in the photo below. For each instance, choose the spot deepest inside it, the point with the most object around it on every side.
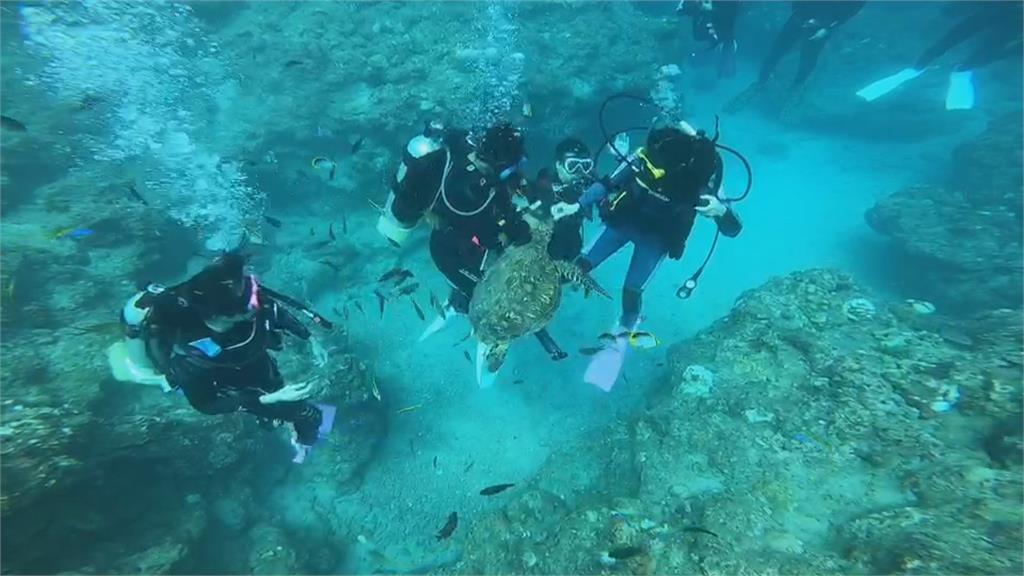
(652, 200)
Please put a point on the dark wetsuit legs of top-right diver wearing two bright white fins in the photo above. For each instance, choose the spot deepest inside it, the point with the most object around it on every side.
(999, 26)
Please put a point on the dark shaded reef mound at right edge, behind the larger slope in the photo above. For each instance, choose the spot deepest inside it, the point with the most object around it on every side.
(964, 240)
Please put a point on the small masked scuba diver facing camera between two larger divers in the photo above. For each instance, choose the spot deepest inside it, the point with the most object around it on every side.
(566, 183)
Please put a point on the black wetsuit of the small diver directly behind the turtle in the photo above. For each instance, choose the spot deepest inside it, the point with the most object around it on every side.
(567, 238)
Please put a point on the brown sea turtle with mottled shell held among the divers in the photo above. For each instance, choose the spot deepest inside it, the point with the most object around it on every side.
(520, 296)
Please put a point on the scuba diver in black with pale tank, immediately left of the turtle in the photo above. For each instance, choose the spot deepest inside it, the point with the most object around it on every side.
(465, 190)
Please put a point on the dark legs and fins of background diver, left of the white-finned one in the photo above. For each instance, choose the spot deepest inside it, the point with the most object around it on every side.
(810, 25)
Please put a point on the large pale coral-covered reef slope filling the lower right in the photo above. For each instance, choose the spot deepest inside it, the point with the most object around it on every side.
(818, 450)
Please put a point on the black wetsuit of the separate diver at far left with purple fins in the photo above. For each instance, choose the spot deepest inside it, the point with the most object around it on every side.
(236, 379)
